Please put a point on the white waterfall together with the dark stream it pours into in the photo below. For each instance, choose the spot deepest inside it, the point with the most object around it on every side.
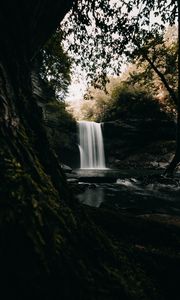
(121, 190)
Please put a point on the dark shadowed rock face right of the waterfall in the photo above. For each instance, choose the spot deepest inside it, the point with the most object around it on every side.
(136, 143)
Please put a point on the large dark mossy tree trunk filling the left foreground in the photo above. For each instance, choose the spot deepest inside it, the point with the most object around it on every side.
(33, 189)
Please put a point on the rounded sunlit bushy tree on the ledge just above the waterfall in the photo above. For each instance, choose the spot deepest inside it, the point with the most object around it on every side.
(123, 101)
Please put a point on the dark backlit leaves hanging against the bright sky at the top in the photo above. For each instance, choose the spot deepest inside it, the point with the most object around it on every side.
(100, 33)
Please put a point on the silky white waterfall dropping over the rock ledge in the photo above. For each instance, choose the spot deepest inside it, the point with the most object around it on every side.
(91, 146)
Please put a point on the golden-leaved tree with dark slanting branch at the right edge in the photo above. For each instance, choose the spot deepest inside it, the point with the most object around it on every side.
(157, 58)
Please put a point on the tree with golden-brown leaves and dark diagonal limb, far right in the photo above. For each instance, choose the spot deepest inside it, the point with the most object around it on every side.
(154, 67)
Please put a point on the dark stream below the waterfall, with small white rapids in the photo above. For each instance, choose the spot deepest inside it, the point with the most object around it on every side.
(144, 192)
